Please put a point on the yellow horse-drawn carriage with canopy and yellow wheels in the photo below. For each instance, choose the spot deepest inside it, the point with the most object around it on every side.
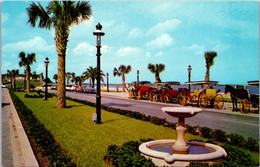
(204, 96)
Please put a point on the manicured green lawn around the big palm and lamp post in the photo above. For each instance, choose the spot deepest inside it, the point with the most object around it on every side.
(85, 142)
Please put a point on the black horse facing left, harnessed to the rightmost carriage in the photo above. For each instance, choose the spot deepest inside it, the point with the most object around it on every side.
(236, 94)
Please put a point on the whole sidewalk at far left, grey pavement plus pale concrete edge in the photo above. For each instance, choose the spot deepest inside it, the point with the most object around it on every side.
(16, 149)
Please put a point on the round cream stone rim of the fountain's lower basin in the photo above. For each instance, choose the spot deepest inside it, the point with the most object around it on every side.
(215, 152)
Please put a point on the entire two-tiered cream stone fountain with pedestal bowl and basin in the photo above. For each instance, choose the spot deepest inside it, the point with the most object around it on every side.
(180, 152)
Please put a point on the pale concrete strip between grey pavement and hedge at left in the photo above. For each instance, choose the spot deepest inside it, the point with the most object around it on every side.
(22, 152)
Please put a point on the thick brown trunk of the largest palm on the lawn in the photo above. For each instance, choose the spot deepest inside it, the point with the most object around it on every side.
(61, 39)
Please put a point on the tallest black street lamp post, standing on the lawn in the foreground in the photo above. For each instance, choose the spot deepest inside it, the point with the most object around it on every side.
(98, 33)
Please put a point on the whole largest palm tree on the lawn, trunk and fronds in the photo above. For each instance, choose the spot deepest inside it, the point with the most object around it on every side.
(61, 15)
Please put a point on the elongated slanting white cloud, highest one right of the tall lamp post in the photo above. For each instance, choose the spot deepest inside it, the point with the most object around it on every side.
(164, 27)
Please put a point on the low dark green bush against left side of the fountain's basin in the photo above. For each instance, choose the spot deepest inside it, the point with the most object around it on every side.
(127, 155)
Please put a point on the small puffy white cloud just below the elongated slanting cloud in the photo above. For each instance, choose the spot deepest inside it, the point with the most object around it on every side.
(162, 41)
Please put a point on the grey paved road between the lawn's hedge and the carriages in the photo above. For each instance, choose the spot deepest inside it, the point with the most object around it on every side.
(231, 122)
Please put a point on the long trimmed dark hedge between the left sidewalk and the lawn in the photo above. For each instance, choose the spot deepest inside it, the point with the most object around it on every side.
(43, 138)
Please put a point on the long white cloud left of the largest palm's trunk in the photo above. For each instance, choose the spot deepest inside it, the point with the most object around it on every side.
(31, 45)
